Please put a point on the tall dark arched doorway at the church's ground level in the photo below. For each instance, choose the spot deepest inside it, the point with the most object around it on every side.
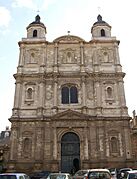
(70, 152)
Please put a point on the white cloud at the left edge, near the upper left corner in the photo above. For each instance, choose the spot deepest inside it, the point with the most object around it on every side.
(5, 17)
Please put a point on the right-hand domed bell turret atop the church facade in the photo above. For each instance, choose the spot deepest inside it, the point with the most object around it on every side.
(101, 28)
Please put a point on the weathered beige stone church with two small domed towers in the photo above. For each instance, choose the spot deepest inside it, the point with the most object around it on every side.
(69, 106)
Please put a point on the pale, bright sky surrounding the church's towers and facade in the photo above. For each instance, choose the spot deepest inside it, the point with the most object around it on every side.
(59, 17)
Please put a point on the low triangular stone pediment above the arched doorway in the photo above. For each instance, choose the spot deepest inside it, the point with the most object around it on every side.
(70, 114)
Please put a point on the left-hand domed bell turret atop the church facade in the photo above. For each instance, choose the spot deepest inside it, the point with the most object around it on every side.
(36, 29)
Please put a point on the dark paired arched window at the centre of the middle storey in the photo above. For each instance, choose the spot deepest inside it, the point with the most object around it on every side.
(69, 94)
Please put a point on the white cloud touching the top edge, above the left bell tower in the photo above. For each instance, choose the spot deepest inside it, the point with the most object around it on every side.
(24, 3)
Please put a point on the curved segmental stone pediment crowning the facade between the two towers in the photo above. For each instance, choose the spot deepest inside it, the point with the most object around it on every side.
(68, 39)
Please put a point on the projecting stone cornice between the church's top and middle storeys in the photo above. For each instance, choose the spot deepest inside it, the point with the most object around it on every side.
(41, 77)
